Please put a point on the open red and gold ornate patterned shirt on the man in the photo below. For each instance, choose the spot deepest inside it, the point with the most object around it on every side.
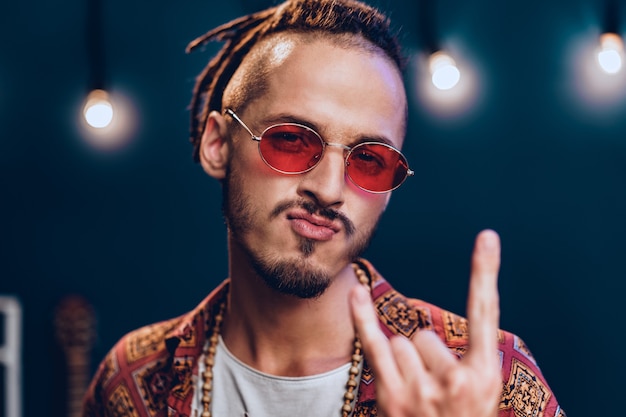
(150, 372)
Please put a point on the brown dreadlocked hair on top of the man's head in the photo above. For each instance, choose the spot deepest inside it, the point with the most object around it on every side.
(300, 16)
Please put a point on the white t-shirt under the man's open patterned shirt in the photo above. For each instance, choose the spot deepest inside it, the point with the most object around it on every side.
(239, 390)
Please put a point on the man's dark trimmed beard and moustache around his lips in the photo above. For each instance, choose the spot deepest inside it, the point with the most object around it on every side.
(287, 275)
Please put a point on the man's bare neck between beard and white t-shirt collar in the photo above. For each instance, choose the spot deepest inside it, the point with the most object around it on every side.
(284, 335)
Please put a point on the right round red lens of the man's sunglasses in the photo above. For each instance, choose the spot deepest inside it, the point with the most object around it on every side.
(377, 167)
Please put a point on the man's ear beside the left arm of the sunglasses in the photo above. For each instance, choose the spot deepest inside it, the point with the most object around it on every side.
(214, 146)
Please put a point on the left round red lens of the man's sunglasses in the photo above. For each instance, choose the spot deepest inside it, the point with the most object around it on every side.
(290, 148)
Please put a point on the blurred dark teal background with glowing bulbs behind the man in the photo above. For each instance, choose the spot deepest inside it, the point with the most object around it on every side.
(525, 133)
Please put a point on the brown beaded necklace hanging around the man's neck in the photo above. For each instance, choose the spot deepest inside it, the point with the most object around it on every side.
(209, 360)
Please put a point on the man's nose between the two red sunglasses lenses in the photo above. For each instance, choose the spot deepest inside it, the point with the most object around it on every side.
(326, 182)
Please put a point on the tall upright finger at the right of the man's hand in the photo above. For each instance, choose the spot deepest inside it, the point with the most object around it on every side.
(483, 308)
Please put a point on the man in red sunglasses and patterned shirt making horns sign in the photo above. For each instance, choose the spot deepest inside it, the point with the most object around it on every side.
(301, 117)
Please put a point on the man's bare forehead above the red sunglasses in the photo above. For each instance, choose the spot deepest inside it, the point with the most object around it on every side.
(338, 82)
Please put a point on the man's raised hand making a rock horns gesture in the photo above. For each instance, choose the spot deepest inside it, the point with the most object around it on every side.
(420, 377)
